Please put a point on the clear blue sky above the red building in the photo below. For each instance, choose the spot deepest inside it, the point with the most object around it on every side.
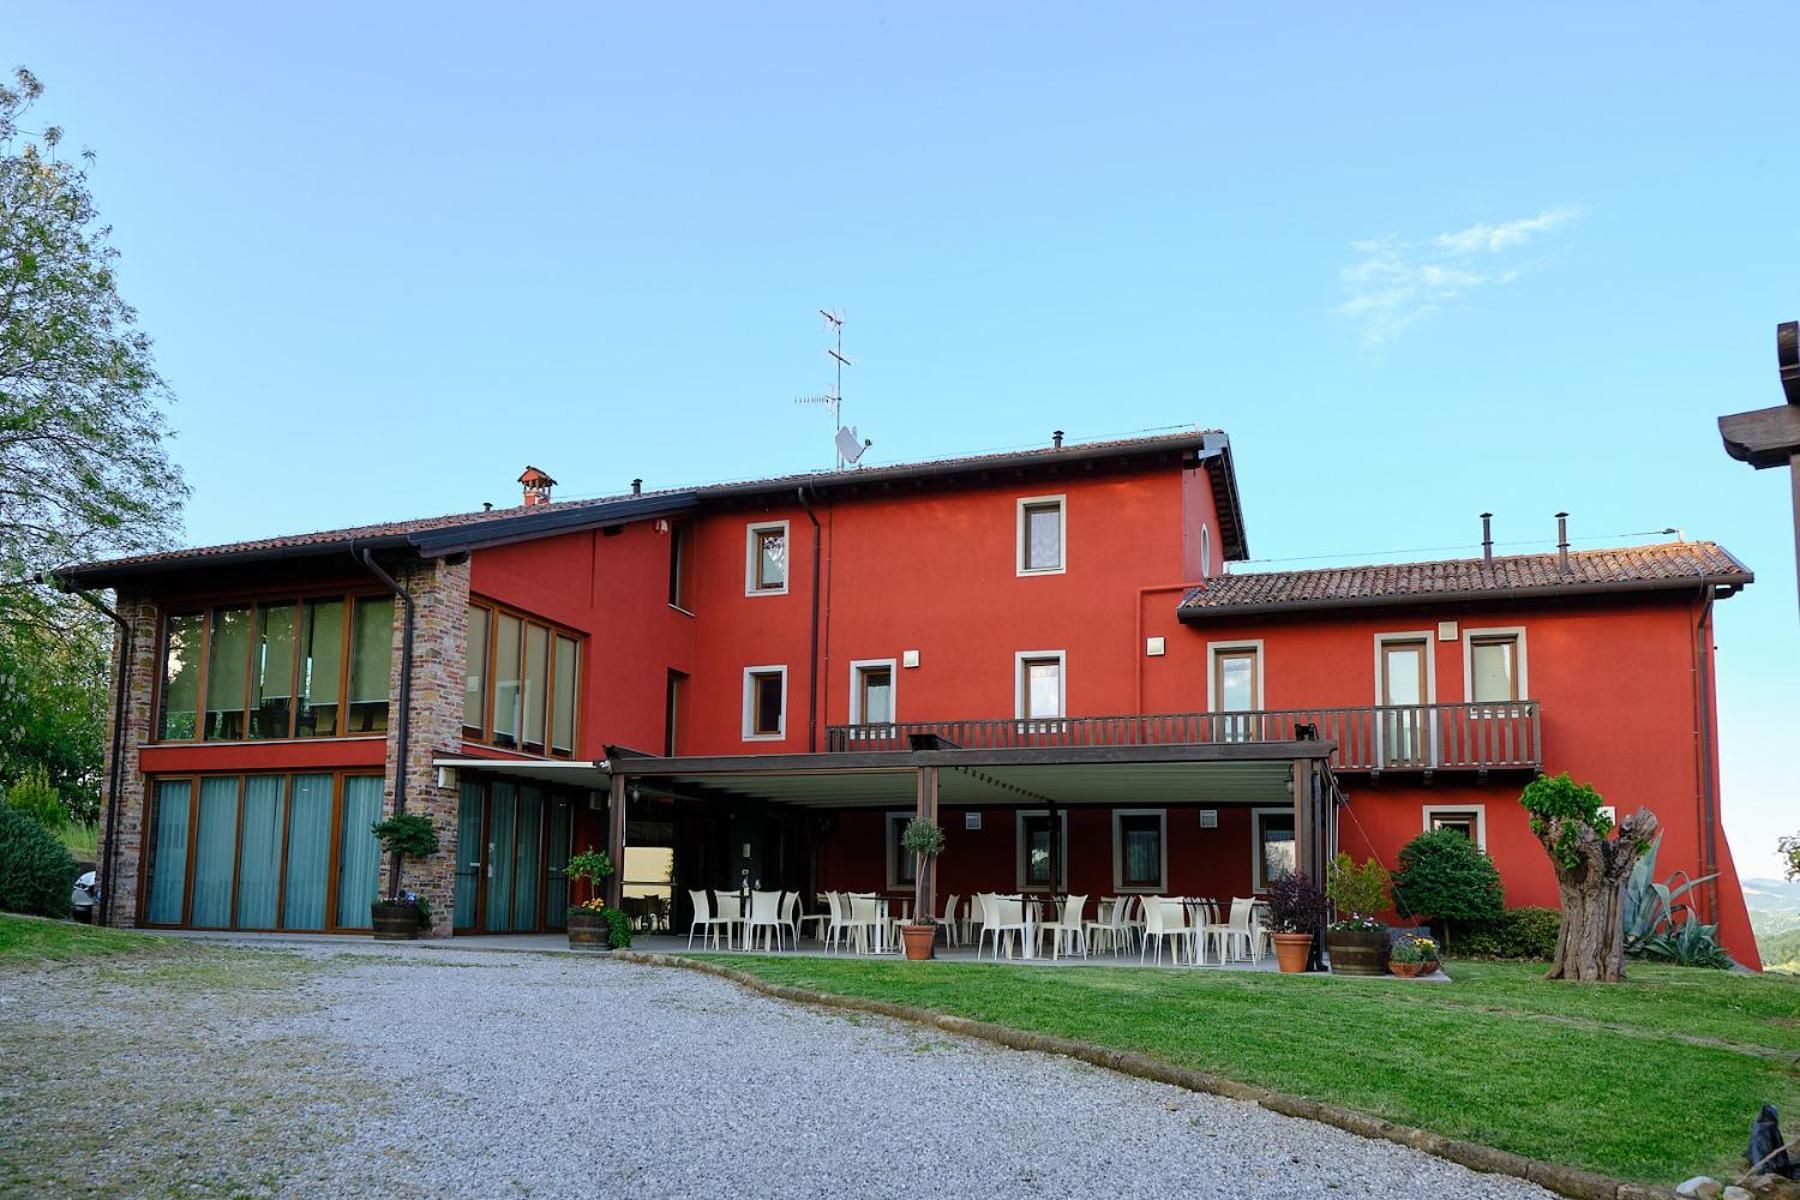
(1419, 264)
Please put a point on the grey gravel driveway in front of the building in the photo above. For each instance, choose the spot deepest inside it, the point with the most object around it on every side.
(440, 1073)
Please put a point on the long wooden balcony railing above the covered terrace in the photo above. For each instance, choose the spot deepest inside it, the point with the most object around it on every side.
(1421, 739)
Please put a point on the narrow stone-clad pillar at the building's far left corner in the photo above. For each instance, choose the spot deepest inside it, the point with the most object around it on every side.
(129, 807)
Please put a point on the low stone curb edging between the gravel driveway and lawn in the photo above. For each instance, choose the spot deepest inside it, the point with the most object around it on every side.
(1560, 1179)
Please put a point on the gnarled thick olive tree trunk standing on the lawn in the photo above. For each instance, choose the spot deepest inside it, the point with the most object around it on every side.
(1592, 944)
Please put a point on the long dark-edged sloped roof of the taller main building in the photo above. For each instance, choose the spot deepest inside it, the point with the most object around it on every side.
(462, 532)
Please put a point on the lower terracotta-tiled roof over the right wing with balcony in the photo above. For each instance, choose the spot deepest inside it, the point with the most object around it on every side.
(1515, 577)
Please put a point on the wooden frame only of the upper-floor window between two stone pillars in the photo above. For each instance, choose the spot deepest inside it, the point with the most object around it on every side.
(206, 607)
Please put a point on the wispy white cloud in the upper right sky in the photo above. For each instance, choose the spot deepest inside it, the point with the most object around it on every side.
(1398, 283)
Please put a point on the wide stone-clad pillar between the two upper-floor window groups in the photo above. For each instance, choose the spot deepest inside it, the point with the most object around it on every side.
(440, 634)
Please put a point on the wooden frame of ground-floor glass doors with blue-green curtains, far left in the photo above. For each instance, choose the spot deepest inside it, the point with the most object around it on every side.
(334, 855)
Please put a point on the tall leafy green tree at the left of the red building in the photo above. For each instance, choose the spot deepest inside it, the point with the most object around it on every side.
(84, 463)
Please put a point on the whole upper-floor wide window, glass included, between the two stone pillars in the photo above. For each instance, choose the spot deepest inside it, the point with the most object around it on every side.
(276, 670)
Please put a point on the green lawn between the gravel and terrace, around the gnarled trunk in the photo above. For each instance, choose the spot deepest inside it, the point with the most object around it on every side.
(1651, 1080)
